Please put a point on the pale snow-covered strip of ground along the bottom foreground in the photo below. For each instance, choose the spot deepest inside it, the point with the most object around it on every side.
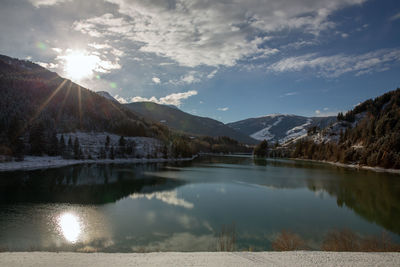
(300, 258)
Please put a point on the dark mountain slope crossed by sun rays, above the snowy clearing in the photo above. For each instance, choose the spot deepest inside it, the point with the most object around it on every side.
(35, 100)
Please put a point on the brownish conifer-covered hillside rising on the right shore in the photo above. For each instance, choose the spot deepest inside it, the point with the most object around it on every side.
(373, 140)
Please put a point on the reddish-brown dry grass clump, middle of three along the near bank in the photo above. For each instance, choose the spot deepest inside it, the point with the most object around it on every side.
(287, 241)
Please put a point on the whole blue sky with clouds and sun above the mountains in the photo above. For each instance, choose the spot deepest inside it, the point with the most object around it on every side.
(228, 60)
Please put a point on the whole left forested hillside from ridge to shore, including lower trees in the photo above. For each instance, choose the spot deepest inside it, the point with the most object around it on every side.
(37, 106)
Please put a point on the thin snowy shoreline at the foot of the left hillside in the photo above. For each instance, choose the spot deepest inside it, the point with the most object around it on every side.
(35, 163)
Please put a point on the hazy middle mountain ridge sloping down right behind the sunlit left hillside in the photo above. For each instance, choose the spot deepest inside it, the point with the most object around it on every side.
(185, 122)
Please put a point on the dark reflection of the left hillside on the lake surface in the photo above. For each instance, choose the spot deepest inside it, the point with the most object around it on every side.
(82, 184)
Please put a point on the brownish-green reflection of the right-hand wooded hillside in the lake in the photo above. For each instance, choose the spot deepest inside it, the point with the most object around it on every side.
(376, 197)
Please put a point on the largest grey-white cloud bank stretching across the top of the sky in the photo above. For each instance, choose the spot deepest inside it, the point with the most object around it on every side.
(212, 33)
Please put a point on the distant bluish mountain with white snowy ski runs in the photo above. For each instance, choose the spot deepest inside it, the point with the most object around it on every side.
(279, 127)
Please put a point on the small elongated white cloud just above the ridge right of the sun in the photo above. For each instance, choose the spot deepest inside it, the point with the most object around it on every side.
(172, 99)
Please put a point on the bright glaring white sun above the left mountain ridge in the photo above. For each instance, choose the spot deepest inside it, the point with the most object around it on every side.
(79, 65)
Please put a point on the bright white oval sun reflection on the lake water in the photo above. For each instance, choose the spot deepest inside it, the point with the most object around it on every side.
(70, 226)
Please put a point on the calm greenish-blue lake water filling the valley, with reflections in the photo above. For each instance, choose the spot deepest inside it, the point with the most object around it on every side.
(183, 207)
